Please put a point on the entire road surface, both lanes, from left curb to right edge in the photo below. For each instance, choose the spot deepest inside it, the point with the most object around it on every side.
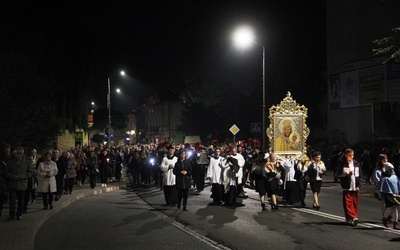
(122, 219)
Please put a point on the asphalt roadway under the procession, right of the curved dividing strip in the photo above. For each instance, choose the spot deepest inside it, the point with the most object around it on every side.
(247, 227)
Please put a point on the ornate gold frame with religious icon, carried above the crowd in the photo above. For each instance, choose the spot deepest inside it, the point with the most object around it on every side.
(288, 114)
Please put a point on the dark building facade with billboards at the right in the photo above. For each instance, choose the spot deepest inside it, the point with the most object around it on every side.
(363, 91)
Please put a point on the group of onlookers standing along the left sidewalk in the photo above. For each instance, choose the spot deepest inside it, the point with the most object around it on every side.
(26, 175)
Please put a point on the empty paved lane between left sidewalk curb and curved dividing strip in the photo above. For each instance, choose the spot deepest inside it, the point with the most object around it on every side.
(117, 220)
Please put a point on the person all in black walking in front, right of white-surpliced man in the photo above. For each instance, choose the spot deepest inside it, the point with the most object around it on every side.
(183, 173)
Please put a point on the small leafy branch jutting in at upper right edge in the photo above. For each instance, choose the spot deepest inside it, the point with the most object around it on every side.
(389, 46)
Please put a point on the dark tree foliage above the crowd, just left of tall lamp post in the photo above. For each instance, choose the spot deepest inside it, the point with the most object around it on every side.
(213, 104)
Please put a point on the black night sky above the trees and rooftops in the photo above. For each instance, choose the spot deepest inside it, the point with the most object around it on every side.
(161, 44)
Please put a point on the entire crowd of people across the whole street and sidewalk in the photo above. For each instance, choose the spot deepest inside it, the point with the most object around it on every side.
(176, 169)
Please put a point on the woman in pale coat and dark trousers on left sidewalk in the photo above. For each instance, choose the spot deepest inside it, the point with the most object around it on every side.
(47, 170)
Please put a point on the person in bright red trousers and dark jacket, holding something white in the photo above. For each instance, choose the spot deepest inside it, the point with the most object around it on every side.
(349, 173)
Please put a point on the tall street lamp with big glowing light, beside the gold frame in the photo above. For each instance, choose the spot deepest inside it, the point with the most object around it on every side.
(244, 37)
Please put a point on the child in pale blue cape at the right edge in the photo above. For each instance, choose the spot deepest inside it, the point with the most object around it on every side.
(389, 188)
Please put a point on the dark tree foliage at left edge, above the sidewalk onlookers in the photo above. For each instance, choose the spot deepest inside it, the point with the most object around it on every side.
(28, 114)
